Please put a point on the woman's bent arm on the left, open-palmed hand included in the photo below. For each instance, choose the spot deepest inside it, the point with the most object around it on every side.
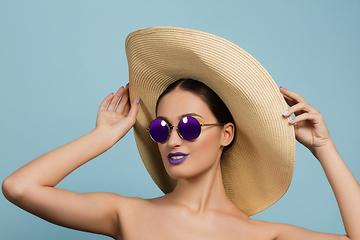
(32, 186)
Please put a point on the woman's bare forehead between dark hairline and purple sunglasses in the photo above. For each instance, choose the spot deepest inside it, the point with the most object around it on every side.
(179, 102)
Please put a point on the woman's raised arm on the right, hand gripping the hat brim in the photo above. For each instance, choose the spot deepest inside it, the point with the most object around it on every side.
(311, 131)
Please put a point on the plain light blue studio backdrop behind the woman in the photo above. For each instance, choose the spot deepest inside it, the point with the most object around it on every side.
(59, 59)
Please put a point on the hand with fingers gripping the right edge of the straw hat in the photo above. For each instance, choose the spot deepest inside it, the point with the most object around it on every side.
(310, 128)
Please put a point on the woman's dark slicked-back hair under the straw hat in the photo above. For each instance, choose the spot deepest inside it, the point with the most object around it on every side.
(216, 105)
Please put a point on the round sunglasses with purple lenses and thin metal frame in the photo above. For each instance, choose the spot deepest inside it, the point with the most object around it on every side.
(189, 129)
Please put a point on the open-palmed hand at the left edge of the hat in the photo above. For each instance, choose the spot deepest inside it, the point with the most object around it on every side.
(116, 114)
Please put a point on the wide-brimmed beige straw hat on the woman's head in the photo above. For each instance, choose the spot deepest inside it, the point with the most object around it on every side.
(258, 168)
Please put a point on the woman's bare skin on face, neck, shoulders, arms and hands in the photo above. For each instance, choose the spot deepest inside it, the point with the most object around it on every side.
(198, 207)
